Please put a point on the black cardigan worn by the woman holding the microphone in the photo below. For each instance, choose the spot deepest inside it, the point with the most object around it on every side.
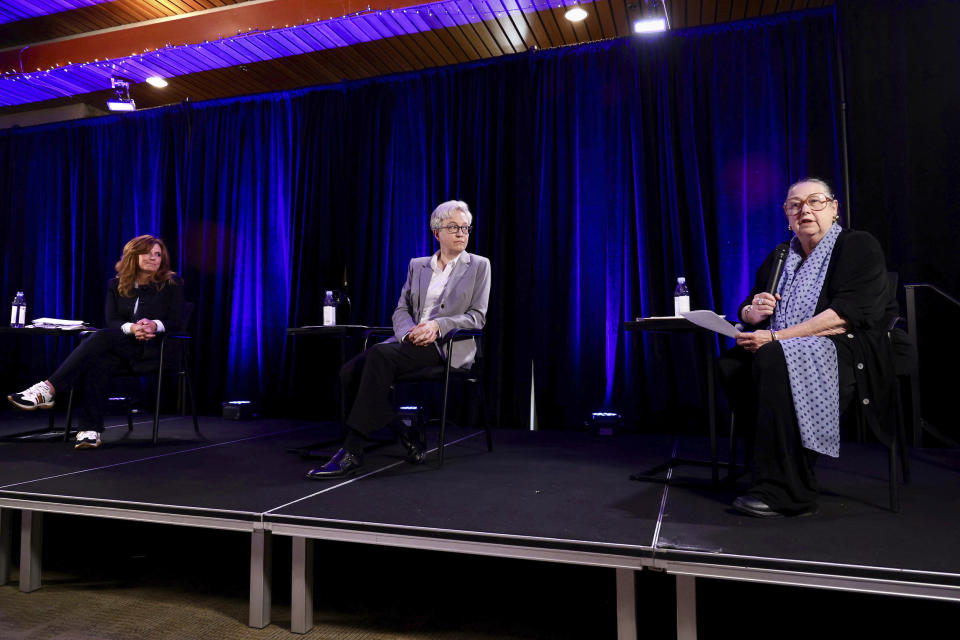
(856, 288)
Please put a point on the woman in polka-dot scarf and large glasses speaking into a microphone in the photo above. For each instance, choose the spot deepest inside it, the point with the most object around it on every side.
(812, 344)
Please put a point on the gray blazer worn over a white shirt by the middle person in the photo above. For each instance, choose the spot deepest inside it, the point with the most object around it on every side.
(463, 303)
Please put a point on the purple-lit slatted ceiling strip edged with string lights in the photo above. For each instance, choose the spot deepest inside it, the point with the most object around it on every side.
(257, 46)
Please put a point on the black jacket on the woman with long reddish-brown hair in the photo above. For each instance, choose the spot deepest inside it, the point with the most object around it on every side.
(164, 304)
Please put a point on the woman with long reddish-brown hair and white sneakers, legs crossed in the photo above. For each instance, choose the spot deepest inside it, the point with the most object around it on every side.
(143, 300)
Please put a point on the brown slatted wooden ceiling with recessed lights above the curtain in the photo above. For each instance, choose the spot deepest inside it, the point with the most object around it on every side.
(505, 32)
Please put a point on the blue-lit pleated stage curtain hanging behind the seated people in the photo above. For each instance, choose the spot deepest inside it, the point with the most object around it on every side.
(597, 175)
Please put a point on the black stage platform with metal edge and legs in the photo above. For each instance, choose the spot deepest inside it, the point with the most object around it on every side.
(550, 496)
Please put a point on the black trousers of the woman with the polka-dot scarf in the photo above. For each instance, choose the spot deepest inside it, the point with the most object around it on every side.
(758, 387)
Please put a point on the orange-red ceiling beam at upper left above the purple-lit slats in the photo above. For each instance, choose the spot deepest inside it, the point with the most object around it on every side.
(188, 28)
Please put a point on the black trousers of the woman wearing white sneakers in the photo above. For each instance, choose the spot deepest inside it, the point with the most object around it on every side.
(88, 369)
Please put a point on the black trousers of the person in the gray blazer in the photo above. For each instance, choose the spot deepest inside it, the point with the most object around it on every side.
(366, 381)
